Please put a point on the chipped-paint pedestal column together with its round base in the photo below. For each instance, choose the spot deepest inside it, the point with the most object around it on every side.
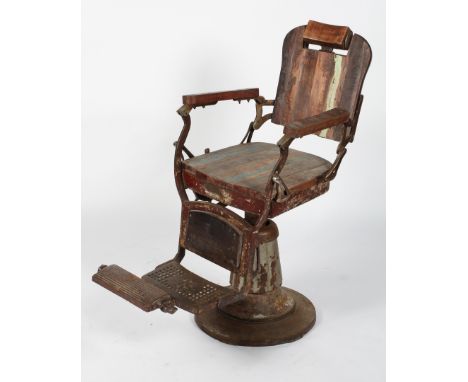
(265, 314)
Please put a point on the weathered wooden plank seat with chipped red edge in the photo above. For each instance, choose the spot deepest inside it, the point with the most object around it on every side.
(238, 176)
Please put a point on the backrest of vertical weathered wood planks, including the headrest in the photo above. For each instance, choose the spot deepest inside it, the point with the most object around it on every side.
(313, 81)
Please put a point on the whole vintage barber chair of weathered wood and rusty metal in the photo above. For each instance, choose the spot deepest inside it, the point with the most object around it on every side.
(319, 92)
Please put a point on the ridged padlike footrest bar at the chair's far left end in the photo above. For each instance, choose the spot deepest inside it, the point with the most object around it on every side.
(139, 292)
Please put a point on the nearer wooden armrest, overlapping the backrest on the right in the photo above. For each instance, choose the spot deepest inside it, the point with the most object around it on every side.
(312, 125)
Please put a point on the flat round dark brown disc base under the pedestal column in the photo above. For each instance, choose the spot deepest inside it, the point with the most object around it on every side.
(288, 328)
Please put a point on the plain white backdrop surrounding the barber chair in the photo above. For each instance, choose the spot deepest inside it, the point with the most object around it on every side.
(139, 57)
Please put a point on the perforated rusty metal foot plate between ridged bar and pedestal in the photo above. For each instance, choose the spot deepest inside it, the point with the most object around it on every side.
(191, 292)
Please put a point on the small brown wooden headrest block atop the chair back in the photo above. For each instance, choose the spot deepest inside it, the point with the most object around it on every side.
(333, 36)
